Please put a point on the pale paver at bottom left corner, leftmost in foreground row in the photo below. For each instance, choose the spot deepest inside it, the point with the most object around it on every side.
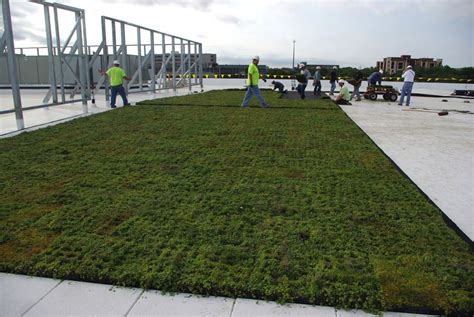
(19, 292)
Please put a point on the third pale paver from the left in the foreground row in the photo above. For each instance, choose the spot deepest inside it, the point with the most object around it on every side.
(154, 303)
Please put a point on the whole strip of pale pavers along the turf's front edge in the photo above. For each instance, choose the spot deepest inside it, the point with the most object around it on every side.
(48, 297)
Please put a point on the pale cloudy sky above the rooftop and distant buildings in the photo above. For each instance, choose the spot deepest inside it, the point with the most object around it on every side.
(354, 33)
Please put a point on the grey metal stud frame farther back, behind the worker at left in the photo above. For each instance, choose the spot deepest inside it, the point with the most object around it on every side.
(157, 45)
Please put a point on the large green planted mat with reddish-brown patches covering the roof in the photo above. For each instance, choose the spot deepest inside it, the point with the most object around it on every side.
(192, 194)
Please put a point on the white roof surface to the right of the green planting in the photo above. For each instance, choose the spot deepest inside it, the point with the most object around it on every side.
(436, 152)
